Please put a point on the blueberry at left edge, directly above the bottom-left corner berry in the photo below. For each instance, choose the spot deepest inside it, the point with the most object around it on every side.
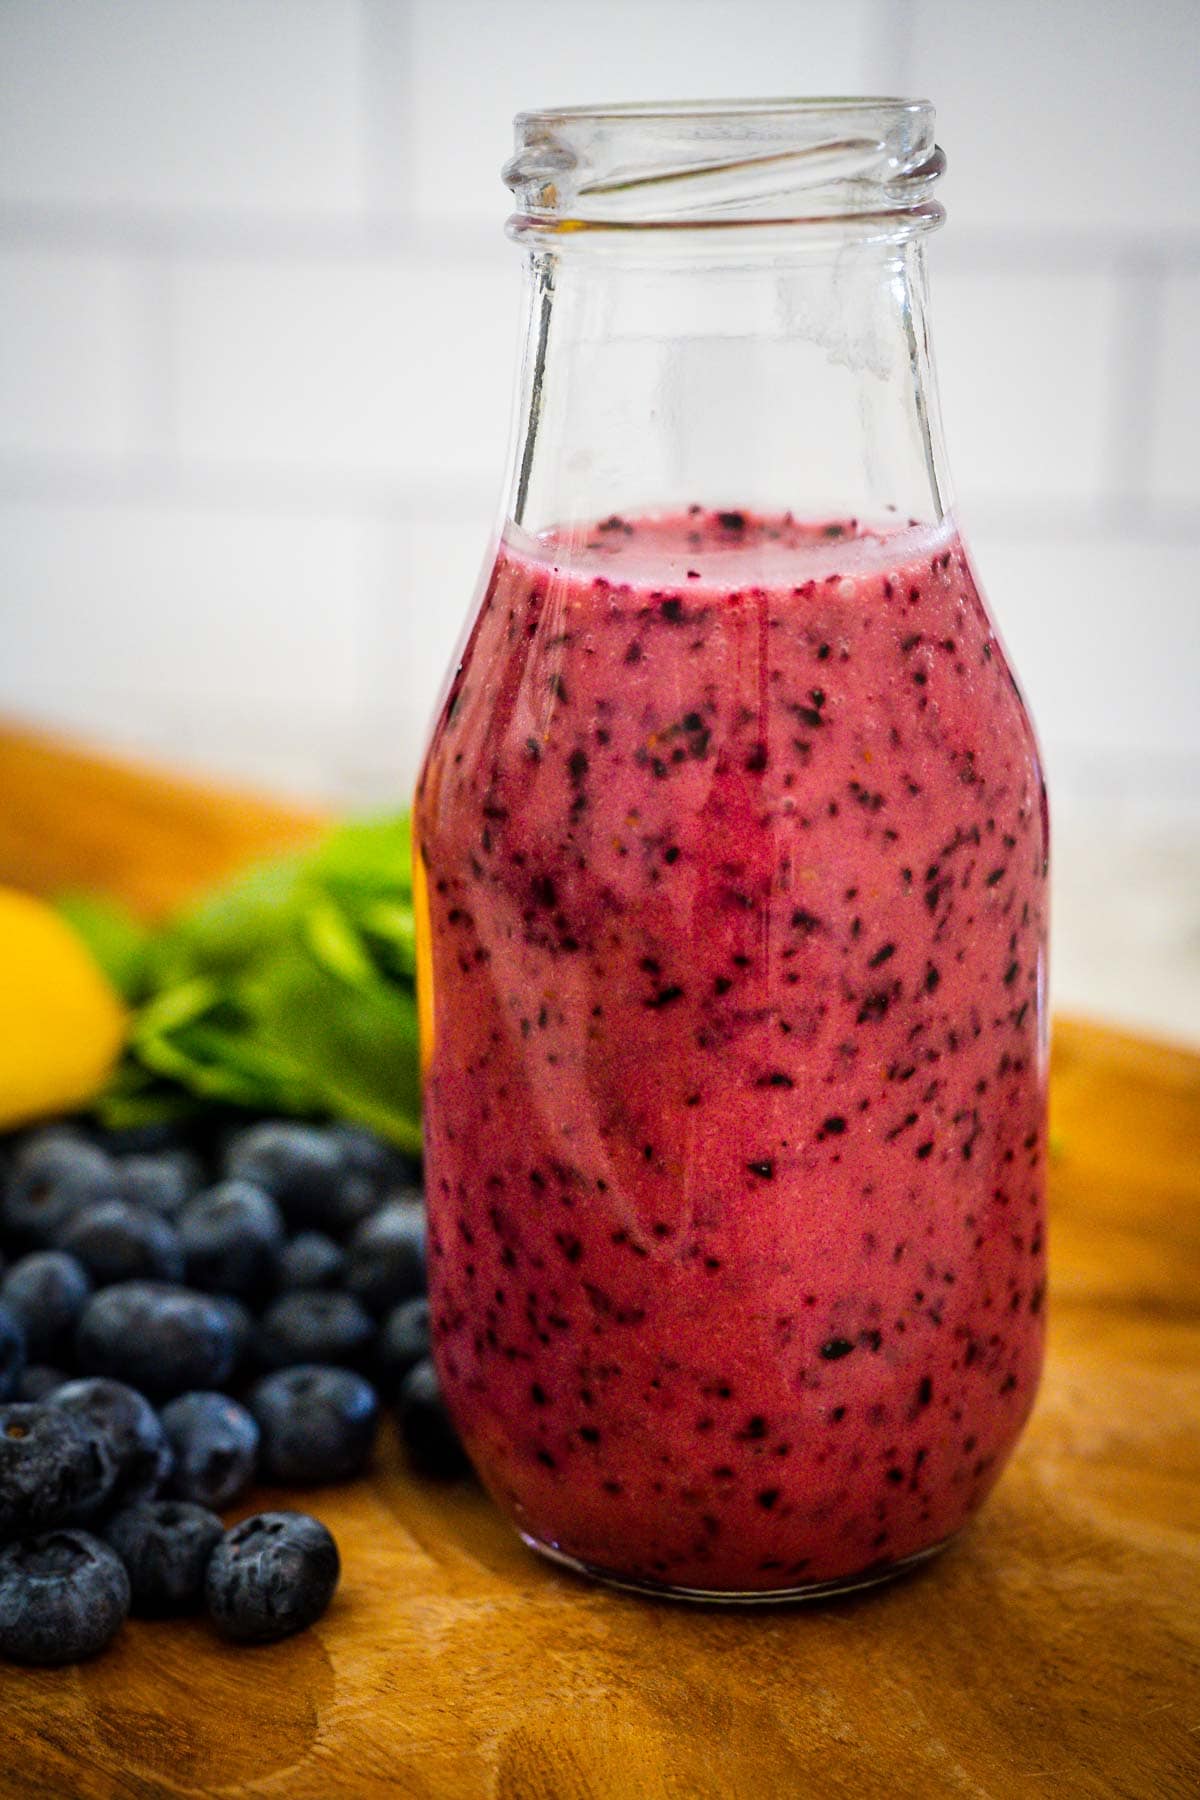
(49, 1470)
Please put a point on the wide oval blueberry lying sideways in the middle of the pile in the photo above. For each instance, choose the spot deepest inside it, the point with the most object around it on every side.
(161, 1340)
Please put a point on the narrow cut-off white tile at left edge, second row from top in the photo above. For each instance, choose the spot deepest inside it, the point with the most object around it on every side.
(69, 354)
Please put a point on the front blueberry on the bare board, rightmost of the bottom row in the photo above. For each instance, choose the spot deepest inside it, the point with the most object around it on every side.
(273, 1576)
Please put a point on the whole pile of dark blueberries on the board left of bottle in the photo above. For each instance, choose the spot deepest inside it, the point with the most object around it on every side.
(181, 1320)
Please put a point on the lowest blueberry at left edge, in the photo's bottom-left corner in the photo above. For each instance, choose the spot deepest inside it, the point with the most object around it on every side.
(62, 1597)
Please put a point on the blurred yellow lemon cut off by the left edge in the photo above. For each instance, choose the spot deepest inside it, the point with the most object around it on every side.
(62, 1025)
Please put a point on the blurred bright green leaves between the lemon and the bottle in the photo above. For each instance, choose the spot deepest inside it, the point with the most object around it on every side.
(289, 991)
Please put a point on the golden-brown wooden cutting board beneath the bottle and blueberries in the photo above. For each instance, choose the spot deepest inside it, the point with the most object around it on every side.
(1053, 1651)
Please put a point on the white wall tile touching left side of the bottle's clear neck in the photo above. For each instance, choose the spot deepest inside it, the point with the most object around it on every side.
(366, 368)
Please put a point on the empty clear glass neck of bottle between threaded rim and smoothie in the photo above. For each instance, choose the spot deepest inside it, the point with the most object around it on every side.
(789, 379)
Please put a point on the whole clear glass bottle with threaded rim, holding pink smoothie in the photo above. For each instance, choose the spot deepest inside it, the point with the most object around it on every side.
(733, 843)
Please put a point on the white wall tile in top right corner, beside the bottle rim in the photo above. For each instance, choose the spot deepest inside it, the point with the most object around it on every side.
(1073, 116)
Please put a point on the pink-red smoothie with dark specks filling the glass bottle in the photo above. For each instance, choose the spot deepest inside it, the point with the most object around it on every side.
(735, 847)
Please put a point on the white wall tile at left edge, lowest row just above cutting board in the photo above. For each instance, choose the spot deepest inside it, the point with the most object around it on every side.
(183, 607)
